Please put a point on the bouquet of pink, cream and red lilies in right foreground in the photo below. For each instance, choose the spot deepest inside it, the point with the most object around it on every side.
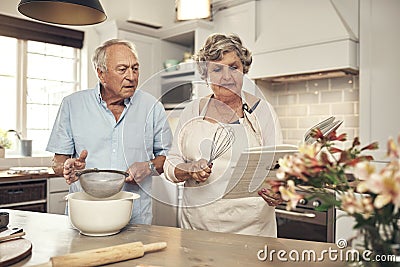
(323, 169)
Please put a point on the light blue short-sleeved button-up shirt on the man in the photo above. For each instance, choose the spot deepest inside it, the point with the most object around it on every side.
(141, 133)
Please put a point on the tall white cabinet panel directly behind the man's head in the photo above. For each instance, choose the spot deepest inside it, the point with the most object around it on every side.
(148, 49)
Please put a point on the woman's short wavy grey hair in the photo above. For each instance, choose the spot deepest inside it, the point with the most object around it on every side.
(216, 46)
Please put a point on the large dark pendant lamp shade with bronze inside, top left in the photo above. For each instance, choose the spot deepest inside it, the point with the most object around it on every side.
(66, 12)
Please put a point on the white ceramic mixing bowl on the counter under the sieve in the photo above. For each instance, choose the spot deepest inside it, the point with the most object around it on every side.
(100, 217)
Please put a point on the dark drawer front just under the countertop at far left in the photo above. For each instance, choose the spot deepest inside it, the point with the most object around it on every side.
(22, 192)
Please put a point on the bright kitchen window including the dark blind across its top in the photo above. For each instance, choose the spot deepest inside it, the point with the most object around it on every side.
(35, 74)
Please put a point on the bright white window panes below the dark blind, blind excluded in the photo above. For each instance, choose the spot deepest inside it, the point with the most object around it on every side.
(36, 76)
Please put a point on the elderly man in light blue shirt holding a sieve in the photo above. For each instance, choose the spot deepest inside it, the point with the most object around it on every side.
(113, 126)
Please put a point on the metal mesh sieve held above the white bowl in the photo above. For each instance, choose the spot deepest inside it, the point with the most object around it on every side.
(101, 183)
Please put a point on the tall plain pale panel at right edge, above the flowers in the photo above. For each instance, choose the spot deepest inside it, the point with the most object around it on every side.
(379, 72)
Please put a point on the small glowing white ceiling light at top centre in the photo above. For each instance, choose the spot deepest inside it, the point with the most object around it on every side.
(193, 9)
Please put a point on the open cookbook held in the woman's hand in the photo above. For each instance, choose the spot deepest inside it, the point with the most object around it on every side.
(256, 164)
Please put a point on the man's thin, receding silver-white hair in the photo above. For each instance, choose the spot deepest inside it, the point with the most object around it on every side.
(99, 58)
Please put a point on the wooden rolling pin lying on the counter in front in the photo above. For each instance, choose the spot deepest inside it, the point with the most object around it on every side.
(101, 256)
